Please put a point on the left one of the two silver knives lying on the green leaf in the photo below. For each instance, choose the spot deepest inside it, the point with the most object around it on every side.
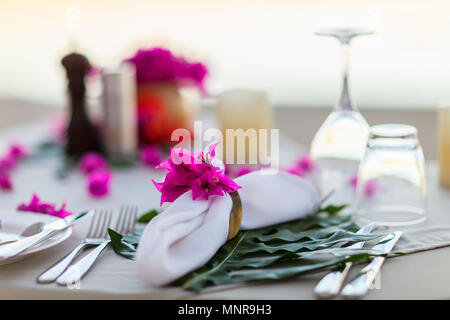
(330, 284)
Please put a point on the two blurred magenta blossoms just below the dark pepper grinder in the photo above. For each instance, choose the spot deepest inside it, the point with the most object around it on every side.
(98, 174)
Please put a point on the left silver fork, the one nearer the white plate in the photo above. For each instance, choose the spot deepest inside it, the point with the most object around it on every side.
(95, 236)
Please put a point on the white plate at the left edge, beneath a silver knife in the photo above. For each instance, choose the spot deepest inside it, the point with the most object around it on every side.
(14, 223)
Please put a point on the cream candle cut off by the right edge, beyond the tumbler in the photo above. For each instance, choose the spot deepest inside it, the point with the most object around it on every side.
(444, 145)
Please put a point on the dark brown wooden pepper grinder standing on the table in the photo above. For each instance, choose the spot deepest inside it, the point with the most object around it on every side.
(81, 134)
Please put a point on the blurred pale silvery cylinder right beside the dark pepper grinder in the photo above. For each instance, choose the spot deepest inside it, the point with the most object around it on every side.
(119, 102)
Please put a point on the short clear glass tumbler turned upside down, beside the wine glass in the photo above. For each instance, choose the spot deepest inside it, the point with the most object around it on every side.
(391, 183)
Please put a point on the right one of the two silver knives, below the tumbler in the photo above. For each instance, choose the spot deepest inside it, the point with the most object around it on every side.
(360, 285)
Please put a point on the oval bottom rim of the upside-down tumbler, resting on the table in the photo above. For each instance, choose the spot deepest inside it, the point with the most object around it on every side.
(392, 215)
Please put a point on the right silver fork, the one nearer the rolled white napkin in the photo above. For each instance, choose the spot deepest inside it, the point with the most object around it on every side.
(126, 223)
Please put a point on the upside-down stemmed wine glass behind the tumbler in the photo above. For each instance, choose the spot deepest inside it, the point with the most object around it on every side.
(339, 144)
